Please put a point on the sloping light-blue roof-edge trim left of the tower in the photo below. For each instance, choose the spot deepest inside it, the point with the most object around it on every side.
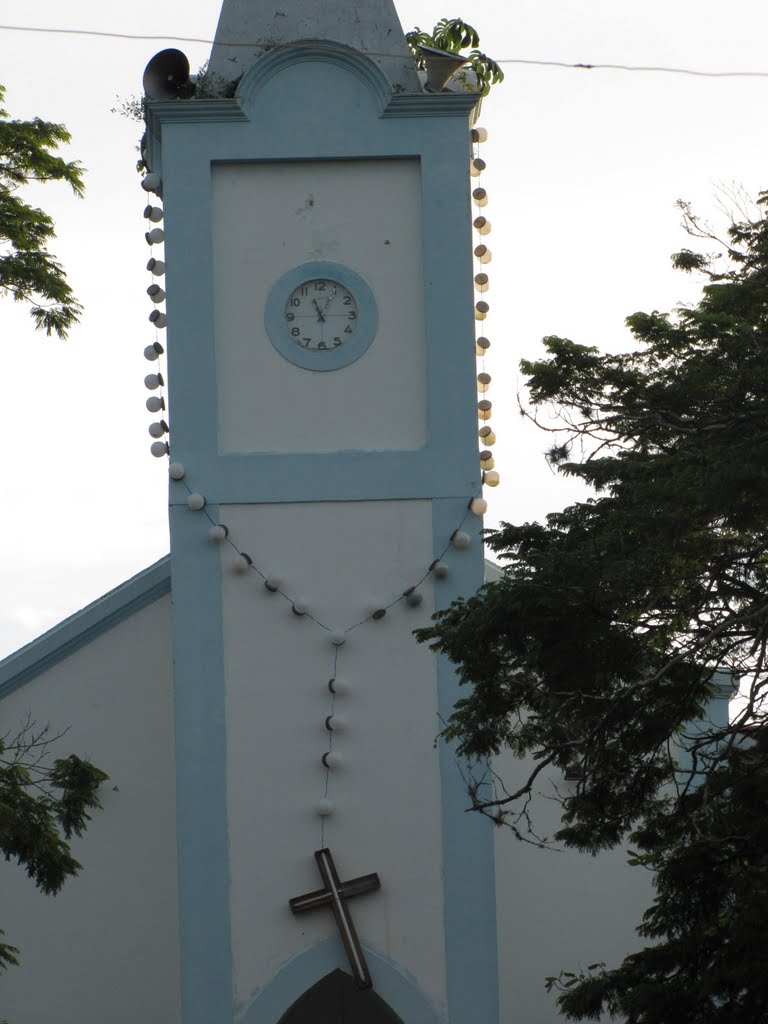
(86, 626)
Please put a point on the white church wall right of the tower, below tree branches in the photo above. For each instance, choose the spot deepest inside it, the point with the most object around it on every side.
(558, 911)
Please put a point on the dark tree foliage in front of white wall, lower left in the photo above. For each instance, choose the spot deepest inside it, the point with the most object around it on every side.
(45, 804)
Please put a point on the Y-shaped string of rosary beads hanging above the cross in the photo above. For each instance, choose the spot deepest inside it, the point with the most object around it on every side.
(412, 596)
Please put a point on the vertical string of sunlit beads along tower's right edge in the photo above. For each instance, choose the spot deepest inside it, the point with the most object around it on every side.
(484, 257)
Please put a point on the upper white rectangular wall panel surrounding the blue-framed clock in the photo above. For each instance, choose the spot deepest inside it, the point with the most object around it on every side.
(269, 219)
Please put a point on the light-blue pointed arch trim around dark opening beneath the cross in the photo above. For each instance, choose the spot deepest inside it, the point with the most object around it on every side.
(300, 974)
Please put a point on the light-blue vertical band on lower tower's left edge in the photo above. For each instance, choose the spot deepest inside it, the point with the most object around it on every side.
(202, 827)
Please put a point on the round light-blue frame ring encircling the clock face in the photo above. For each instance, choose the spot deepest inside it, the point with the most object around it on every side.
(334, 359)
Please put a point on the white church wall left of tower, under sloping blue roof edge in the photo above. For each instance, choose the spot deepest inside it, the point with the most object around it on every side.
(106, 949)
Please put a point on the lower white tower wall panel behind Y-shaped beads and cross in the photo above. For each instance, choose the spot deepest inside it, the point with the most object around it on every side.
(340, 559)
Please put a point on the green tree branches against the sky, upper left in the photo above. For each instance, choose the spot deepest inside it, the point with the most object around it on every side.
(28, 272)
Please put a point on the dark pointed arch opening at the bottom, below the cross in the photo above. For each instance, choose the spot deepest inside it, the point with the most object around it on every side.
(336, 1000)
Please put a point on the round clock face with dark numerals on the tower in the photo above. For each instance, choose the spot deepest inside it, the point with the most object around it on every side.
(322, 315)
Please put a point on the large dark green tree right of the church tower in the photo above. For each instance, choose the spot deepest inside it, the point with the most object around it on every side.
(596, 653)
